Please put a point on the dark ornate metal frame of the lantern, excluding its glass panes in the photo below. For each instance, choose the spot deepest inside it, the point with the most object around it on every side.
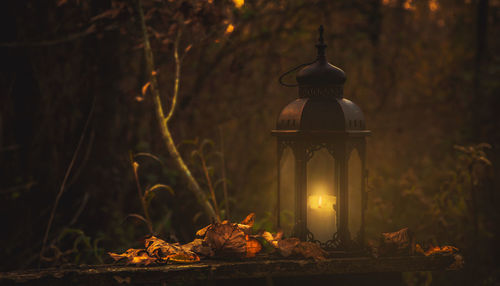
(321, 118)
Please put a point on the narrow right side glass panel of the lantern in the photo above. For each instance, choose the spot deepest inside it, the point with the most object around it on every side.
(355, 196)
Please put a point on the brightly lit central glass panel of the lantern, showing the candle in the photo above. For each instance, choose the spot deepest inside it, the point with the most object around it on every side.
(321, 196)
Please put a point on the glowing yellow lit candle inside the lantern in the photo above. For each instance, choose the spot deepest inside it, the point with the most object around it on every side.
(321, 216)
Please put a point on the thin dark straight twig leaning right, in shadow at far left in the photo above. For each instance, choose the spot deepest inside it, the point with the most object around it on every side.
(66, 176)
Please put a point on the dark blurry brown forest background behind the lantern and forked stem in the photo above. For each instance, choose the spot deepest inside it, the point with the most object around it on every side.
(426, 74)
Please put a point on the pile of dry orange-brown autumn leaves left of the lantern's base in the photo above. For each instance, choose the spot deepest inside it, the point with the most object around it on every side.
(220, 240)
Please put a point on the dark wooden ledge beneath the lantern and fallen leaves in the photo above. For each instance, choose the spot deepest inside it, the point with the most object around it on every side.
(210, 270)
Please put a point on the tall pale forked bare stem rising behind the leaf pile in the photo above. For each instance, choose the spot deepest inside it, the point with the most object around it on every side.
(193, 185)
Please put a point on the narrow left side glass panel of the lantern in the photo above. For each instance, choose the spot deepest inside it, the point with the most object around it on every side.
(287, 191)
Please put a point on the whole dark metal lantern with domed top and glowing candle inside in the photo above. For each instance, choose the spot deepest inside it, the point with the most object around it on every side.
(321, 160)
